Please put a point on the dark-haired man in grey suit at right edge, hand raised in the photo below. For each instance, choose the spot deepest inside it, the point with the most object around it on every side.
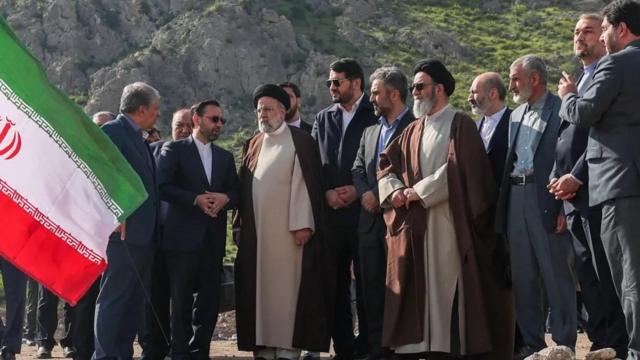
(609, 105)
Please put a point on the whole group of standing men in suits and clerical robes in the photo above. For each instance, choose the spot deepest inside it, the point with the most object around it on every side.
(466, 238)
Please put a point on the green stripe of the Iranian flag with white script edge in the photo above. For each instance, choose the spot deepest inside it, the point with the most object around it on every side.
(113, 177)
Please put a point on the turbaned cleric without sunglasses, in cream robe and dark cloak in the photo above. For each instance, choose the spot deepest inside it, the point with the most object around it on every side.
(281, 265)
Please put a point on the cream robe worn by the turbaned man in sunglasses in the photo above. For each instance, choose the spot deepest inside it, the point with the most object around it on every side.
(443, 270)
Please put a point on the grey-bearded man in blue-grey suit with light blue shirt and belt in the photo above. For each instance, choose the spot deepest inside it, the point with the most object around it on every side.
(541, 250)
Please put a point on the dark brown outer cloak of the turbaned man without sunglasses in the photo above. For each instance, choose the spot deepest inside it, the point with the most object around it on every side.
(313, 312)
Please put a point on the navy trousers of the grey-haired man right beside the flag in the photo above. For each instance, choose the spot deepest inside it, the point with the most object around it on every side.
(120, 300)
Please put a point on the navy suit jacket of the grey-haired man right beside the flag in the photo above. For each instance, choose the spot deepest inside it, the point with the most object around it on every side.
(141, 225)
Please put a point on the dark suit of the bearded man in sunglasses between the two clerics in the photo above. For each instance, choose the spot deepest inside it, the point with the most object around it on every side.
(337, 154)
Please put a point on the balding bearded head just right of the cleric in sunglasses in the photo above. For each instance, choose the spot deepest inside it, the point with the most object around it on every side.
(487, 94)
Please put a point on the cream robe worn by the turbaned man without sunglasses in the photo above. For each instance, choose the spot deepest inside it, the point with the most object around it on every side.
(281, 204)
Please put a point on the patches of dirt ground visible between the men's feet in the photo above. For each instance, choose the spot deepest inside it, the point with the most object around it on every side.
(224, 345)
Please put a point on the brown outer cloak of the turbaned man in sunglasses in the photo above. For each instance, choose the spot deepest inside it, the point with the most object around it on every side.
(488, 302)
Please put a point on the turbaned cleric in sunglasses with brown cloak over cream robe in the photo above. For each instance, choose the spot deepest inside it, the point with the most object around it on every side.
(444, 269)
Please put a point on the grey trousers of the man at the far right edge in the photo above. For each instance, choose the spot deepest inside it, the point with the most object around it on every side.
(620, 233)
